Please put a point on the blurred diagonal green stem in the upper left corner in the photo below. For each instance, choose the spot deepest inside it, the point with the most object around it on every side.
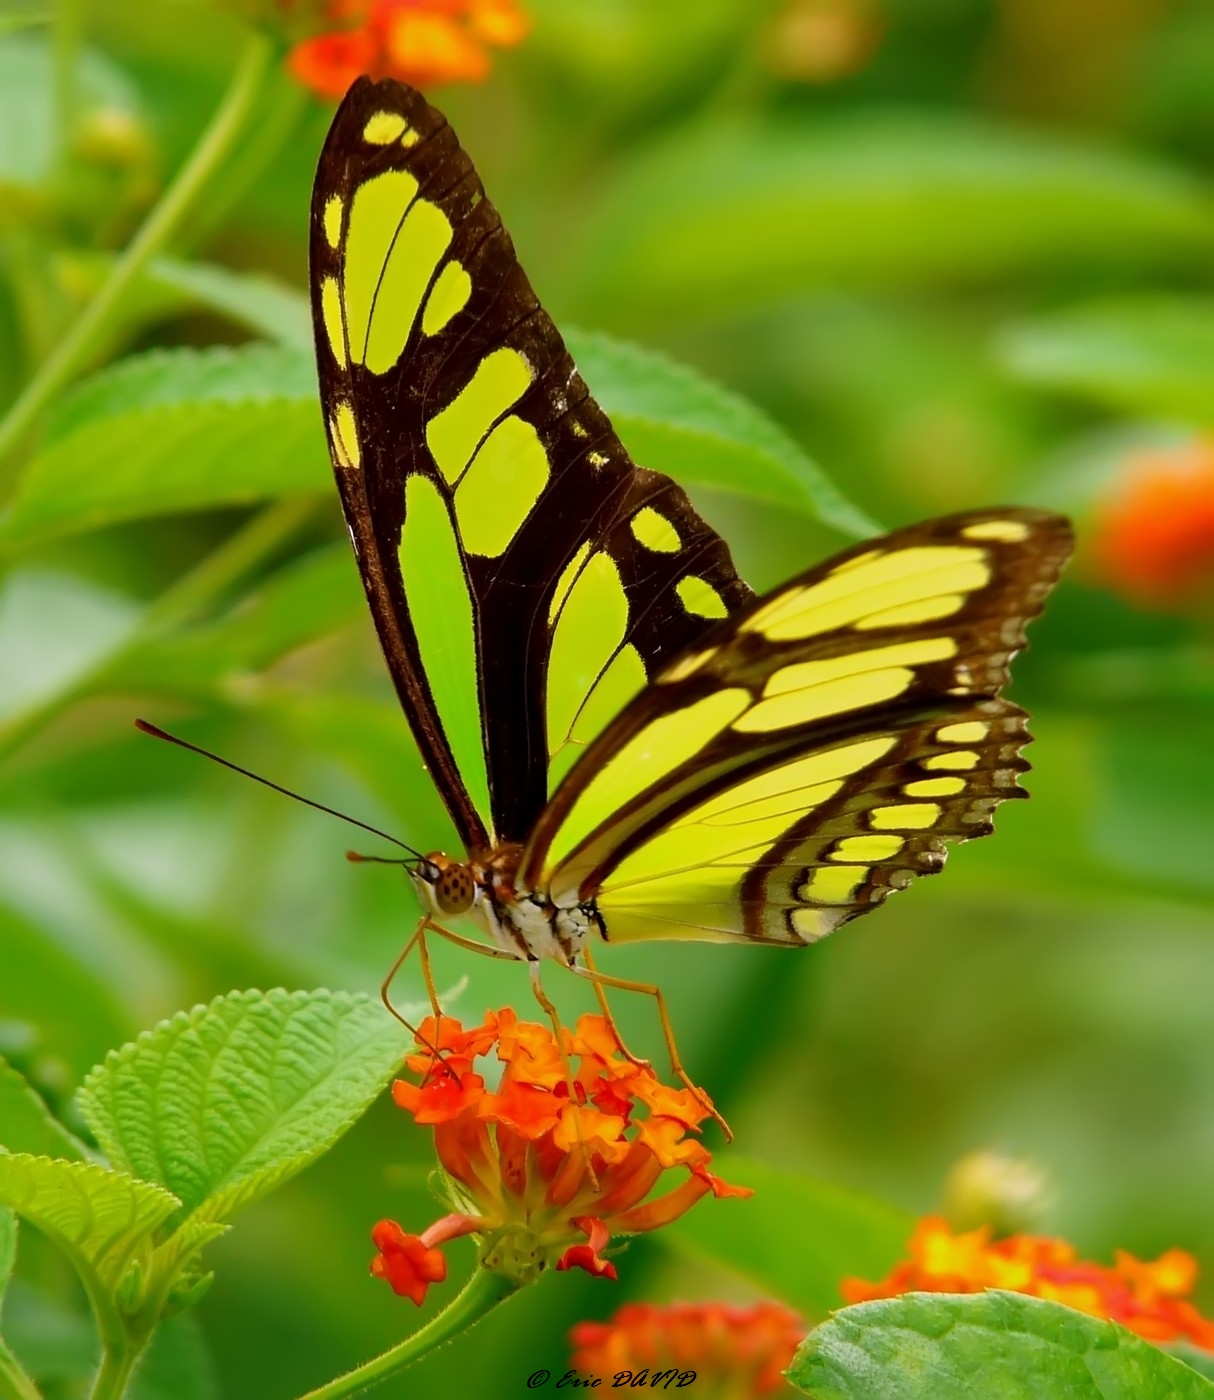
(162, 226)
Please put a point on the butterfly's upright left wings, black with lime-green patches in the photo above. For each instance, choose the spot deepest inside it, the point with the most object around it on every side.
(526, 577)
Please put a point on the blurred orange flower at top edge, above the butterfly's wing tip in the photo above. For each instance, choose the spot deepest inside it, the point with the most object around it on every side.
(425, 43)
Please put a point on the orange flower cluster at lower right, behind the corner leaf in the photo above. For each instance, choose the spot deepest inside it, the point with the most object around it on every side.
(1149, 1298)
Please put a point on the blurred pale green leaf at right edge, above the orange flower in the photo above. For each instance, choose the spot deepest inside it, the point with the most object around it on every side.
(1145, 355)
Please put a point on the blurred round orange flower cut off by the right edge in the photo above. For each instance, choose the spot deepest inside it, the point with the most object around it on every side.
(1153, 535)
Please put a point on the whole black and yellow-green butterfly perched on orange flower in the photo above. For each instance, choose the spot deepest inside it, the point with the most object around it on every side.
(631, 744)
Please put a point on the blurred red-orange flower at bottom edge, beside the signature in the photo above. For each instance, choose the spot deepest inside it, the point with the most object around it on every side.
(736, 1352)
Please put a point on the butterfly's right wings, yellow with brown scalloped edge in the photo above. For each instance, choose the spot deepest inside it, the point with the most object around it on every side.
(816, 750)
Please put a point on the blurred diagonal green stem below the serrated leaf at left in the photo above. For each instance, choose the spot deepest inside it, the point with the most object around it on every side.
(237, 558)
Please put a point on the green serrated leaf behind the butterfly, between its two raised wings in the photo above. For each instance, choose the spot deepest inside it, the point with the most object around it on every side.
(699, 432)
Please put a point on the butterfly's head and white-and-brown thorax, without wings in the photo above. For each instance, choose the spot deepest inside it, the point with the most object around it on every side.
(527, 925)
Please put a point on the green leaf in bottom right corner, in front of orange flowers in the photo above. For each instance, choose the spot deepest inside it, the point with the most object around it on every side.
(939, 1346)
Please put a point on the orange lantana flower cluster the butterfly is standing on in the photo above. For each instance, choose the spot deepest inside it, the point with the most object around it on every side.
(537, 1175)
